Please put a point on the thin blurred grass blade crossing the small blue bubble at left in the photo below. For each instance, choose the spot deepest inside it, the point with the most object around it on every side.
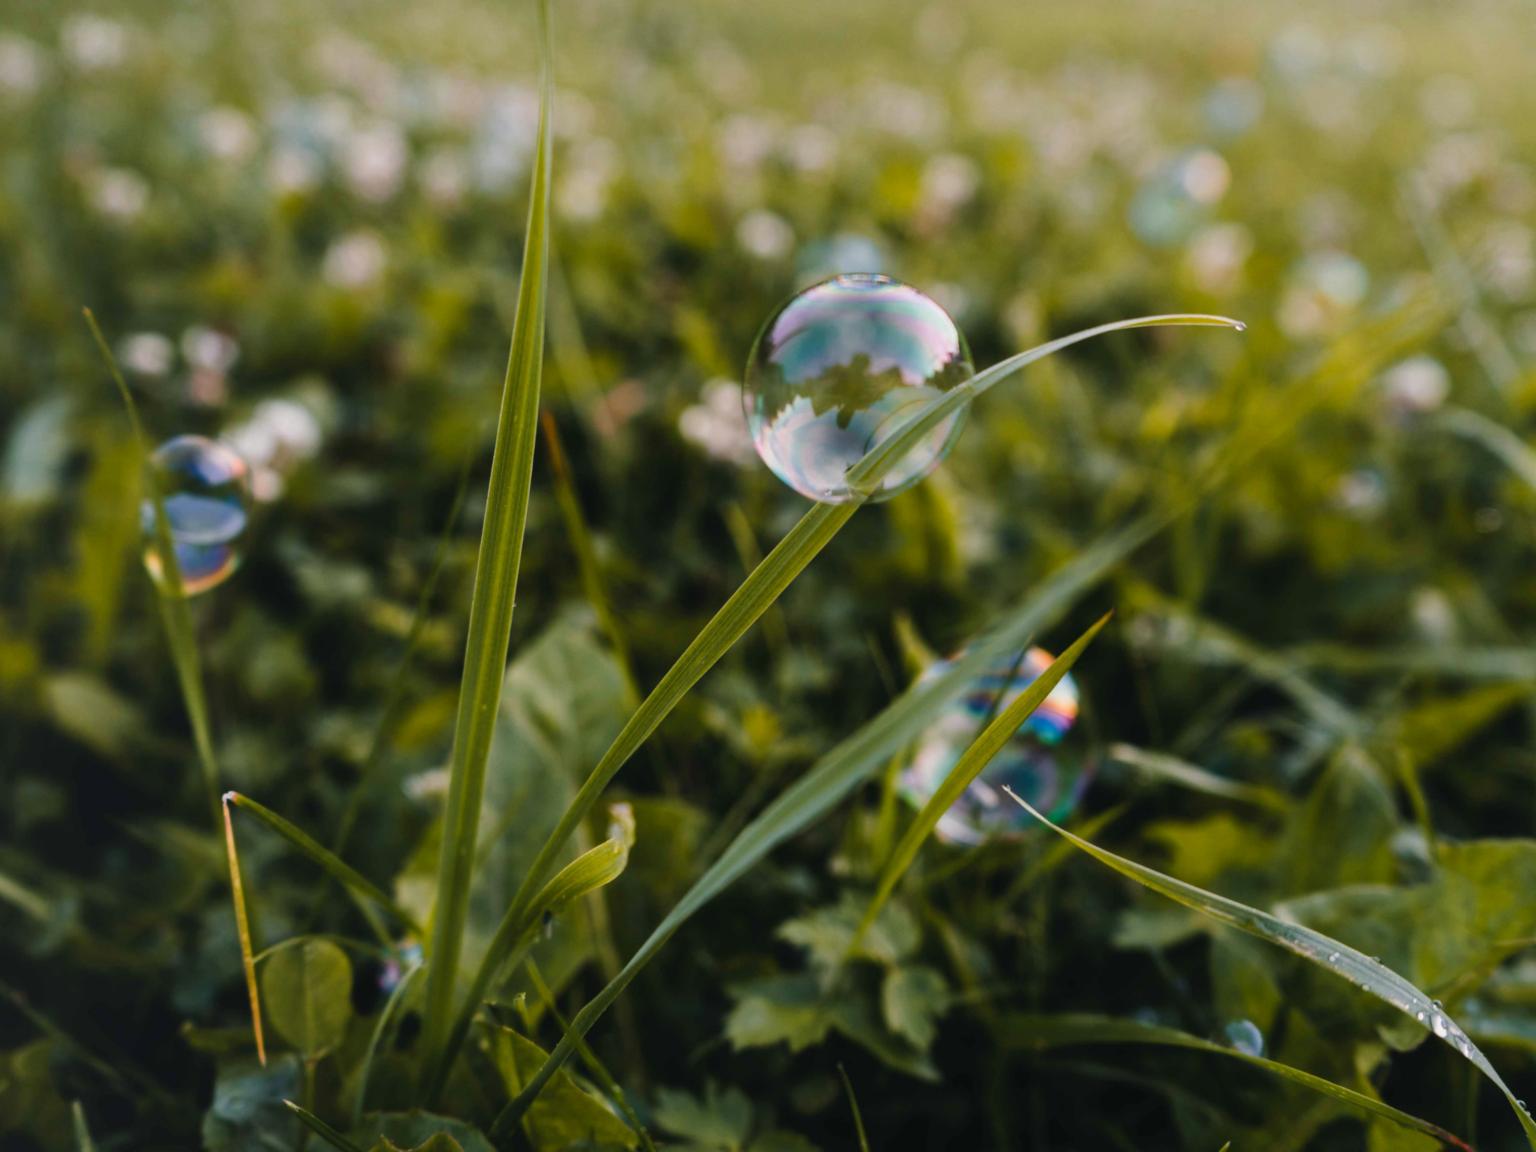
(174, 611)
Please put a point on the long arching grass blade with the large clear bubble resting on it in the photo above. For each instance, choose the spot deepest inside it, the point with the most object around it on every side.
(746, 606)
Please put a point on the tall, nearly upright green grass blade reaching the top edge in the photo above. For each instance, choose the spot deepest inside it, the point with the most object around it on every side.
(495, 591)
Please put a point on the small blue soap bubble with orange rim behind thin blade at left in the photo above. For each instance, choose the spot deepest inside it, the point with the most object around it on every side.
(207, 494)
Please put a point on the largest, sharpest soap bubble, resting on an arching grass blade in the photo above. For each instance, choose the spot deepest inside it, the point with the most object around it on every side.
(838, 369)
